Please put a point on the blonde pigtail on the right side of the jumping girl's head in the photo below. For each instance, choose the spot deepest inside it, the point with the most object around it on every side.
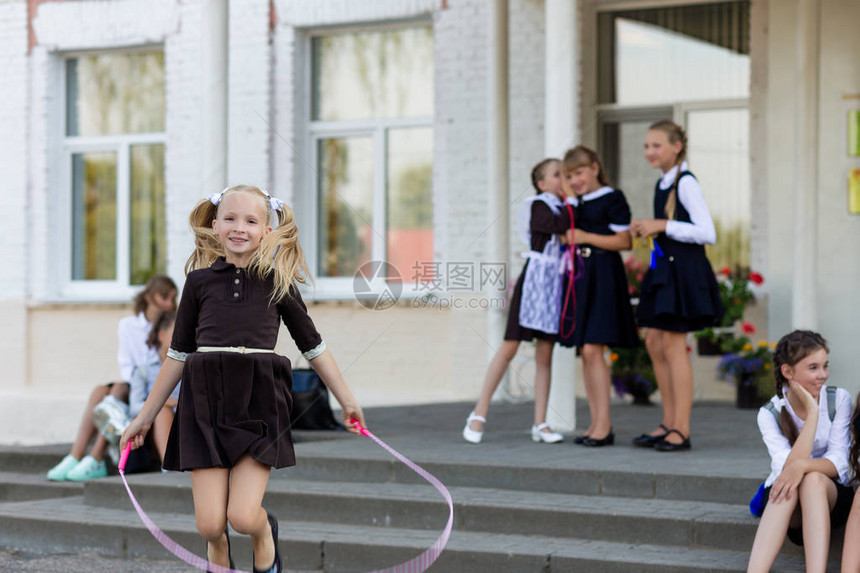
(280, 253)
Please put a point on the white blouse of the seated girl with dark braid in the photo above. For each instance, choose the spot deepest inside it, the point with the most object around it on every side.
(832, 439)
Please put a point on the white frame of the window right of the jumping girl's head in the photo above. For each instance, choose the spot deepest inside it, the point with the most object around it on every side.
(341, 288)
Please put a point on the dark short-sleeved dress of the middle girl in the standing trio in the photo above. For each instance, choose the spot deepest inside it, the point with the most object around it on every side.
(602, 312)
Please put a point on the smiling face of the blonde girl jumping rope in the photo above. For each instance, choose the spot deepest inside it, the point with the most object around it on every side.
(241, 224)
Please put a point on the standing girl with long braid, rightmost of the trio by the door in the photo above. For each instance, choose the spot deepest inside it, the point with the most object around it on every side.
(679, 290)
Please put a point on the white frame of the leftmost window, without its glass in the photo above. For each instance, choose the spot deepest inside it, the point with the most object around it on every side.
(119, 289)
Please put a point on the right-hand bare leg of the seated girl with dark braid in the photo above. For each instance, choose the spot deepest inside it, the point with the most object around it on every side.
(817, 494)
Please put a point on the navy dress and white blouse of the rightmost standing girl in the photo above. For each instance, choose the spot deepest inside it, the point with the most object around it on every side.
(680, 293)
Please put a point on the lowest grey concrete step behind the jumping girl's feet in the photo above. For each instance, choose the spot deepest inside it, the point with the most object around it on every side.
(69, 524)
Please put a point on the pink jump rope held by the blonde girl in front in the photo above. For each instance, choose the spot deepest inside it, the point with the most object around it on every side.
(417, 565)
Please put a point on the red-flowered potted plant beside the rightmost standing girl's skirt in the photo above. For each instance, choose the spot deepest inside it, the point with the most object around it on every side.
(736, 295)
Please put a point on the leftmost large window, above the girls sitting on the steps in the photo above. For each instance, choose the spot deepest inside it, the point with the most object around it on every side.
(114, 151)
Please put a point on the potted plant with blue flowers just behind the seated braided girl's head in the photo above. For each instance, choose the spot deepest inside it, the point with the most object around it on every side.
(749, 366)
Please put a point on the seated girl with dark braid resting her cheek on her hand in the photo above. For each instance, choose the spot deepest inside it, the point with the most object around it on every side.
(805, 428)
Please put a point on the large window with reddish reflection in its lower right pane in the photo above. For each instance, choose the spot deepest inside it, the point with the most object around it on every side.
(371, 128)
